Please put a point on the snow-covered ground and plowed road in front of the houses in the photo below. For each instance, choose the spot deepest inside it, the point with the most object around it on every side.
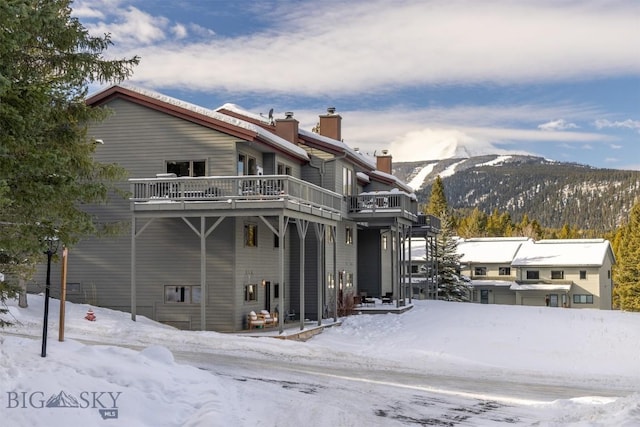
(441, 363)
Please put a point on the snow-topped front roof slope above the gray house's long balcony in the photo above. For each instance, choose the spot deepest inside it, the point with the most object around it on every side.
(281, 143)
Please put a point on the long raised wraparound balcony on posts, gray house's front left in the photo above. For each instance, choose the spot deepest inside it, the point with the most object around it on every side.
(251, 192)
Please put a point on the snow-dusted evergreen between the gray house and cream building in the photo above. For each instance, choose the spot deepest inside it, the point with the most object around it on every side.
(450, 286)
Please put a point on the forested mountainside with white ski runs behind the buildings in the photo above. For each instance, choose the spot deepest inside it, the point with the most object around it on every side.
(552, 193)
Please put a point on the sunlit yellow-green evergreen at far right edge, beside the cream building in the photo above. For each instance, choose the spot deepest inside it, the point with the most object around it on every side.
(627, 272)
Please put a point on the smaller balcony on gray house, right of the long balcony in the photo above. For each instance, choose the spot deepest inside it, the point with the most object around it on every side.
(383, 205)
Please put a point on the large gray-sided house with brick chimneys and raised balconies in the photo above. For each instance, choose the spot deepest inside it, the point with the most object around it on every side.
(230, 212)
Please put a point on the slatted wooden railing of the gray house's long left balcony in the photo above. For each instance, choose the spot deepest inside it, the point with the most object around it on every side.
(224, 188)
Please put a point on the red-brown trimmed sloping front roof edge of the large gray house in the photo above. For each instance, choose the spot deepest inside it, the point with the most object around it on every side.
(200, 115)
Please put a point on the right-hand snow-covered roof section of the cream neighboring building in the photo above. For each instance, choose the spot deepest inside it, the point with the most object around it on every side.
(564, 252)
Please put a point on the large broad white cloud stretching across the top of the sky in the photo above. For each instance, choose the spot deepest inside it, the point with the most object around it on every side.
(343, 47)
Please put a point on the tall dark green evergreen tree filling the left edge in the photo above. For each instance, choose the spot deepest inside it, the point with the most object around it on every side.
(47, 171)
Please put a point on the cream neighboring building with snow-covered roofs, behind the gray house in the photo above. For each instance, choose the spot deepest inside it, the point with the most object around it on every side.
(561, 273)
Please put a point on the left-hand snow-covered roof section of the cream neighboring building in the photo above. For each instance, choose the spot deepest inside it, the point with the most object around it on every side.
(490, 250)
